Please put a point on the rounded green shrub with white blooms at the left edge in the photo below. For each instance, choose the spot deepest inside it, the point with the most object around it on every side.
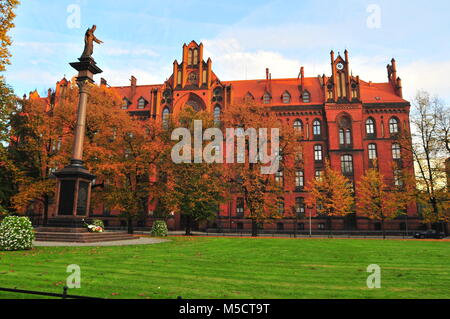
(16, 233)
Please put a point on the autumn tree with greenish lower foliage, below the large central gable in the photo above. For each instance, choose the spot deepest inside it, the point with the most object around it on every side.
(192, 189)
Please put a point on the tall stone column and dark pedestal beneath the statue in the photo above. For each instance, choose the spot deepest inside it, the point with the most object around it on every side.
(74, 181)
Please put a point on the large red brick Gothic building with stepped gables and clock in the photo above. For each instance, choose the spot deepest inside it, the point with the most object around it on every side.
(345, 119)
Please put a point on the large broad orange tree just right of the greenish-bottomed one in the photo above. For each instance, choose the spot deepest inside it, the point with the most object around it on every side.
(259, 180)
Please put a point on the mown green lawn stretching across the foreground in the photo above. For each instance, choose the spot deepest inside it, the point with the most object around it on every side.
(237, 268)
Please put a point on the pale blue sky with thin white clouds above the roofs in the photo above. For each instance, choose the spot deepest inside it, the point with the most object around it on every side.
(142, 38)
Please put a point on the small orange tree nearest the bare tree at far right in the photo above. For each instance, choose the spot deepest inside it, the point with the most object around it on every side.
(377, 200)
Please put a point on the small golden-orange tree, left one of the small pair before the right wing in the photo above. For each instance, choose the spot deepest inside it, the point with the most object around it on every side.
(332, 194)
